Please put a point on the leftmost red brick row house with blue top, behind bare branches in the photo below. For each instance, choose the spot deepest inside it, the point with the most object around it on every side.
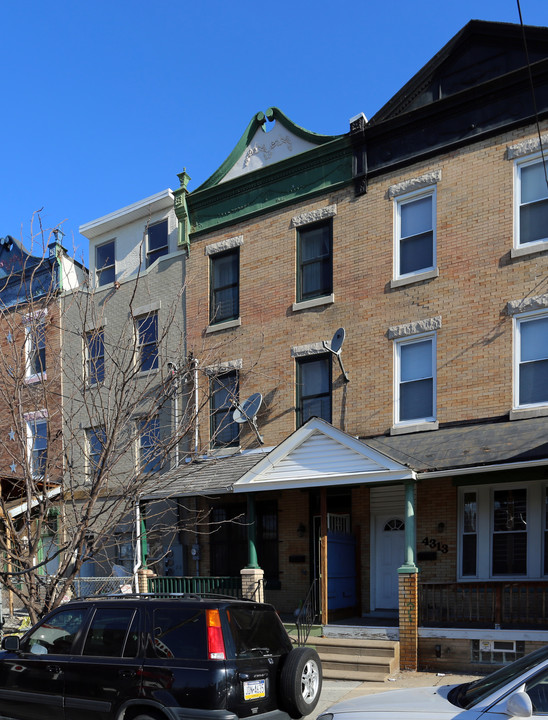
(31, 444)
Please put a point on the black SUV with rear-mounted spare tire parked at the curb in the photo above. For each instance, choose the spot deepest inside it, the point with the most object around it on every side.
(149, 658)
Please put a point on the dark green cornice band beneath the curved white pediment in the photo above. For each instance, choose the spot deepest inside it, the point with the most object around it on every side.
(298, 178)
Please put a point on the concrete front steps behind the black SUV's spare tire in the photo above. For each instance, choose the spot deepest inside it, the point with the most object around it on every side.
(364, 660)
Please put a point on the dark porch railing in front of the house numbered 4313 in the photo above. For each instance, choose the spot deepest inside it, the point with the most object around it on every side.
(484, 604)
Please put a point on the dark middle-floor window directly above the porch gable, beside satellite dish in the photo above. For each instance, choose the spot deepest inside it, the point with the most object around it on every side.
(313, 388)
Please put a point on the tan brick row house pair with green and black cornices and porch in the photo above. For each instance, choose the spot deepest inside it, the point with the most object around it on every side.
(380, 298)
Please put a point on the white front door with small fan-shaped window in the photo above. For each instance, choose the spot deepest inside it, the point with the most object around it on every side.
(390, 549)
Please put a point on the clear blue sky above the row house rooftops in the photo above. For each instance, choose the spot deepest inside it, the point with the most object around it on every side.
(104, 102)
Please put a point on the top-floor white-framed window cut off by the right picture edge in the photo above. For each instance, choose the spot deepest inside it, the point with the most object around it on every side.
(531, 202)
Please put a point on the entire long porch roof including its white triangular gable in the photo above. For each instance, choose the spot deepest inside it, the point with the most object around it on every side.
(319, 454)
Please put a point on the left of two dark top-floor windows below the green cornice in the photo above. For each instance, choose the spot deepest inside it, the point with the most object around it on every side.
(224, 301)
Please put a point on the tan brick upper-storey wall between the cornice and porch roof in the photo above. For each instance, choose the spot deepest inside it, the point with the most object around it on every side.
(476, 279)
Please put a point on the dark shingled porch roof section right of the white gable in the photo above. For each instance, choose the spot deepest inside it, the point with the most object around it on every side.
(460, 448)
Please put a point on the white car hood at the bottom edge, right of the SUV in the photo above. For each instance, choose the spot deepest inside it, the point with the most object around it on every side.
(422, 701)
